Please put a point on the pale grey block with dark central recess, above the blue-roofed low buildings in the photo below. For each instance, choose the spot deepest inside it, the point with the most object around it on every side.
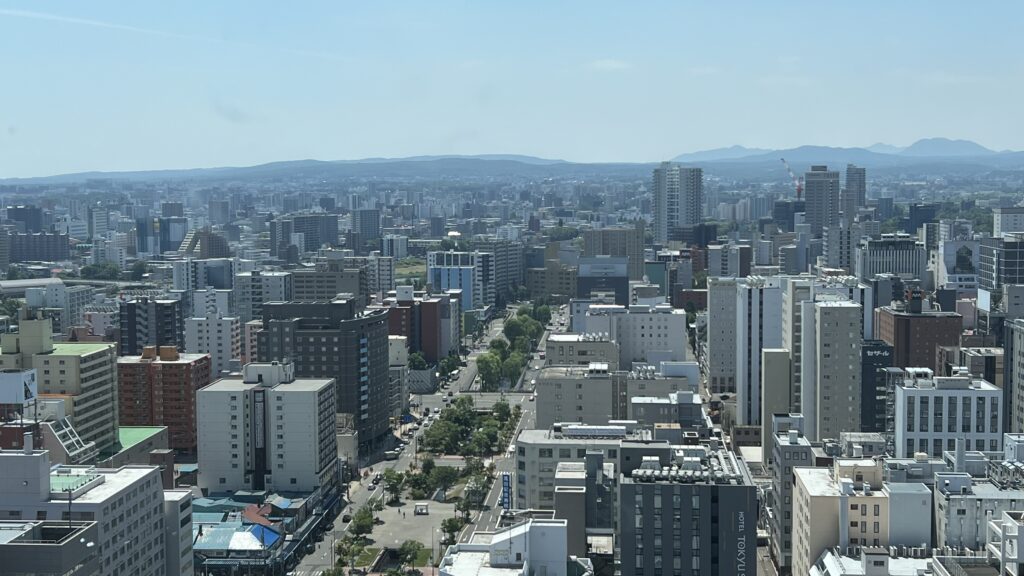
(268, 430)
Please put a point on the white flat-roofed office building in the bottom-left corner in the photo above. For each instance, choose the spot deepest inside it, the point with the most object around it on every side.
(126, 504)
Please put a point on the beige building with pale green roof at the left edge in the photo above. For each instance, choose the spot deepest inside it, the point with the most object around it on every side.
(87, 374)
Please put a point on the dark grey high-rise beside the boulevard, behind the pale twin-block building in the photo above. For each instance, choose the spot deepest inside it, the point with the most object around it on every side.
(332, 341)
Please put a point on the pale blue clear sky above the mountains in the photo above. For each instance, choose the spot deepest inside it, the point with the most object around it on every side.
(148, 86)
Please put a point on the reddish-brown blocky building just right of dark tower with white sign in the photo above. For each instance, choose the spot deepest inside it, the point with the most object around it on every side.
(916, 335)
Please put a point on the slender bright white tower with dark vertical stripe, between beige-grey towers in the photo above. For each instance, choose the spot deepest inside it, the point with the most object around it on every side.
(759, 325)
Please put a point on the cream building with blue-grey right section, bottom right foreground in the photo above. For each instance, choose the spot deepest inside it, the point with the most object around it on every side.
(849, 505)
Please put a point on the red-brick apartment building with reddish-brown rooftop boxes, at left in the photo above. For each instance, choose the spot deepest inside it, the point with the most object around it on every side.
(158, 389)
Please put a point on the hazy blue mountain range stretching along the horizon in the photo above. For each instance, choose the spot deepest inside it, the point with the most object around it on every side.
(929, 156)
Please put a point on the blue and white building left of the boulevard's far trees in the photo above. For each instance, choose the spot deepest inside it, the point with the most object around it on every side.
(474, 273)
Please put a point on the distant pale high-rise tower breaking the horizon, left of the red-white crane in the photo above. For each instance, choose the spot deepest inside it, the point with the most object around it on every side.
(678, 199)
